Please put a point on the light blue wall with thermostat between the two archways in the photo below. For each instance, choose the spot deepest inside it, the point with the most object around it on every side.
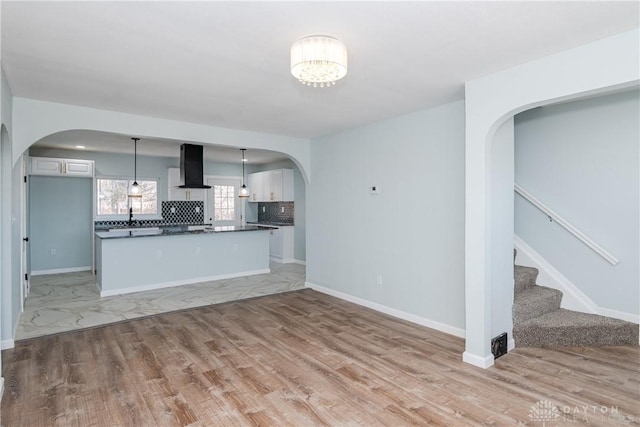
(412, 233)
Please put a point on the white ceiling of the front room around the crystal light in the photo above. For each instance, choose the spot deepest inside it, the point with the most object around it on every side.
(227, 63)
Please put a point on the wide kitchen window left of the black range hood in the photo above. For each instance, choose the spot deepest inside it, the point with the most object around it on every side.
(113, 201)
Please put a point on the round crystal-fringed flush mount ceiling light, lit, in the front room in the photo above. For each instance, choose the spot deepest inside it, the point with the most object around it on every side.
(318, 61)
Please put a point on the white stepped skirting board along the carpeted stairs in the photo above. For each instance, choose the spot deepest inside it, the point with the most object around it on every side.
(572, 297)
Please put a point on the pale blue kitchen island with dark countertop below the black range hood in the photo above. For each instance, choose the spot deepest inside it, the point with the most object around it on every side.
(134, 260)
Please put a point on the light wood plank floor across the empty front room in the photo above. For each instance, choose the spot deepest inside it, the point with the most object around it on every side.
(304, 359)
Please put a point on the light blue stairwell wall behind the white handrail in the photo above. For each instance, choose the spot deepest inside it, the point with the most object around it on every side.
(582, 160)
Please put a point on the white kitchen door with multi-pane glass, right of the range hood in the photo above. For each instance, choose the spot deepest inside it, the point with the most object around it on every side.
(224, 208)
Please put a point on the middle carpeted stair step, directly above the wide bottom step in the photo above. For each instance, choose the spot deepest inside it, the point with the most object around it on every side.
(534, 302)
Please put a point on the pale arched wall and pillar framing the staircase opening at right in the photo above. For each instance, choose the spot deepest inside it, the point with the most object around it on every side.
(605, 65)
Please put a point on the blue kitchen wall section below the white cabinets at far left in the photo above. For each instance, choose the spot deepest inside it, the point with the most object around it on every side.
(60, 219)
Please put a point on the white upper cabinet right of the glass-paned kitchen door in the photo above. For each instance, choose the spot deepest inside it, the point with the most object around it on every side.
(271, 186)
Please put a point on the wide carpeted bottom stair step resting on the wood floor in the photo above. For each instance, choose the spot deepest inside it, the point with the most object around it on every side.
(566, 328)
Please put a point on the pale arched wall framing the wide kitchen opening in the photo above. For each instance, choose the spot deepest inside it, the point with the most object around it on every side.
(34, 120)
